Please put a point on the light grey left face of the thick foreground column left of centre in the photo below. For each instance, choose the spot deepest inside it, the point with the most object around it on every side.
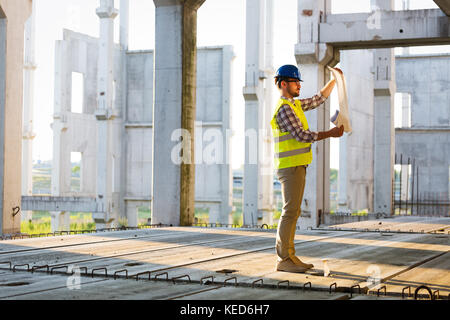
(167, 111)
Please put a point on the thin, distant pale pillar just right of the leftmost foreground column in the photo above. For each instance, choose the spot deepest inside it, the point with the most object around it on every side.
(28, 92)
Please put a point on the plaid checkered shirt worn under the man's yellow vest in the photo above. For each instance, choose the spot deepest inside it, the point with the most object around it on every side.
(288, 121)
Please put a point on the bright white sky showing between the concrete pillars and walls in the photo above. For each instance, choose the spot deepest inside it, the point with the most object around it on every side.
(219, 22)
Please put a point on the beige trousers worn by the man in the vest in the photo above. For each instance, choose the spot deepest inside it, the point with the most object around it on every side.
(292, 187)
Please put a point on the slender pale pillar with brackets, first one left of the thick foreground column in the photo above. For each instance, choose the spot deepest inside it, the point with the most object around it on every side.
(104, 113)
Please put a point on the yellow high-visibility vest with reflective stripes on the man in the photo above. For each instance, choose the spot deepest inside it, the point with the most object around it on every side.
(288, 151)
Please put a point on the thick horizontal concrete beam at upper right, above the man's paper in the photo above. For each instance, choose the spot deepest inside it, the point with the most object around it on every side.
(385, 29)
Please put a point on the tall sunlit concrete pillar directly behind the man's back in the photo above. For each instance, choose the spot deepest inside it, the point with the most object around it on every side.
(258, 174)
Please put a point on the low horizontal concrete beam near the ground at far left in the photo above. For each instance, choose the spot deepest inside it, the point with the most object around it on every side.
(70, 204)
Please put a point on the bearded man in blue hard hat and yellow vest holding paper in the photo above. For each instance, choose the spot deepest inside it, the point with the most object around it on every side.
(292, 140)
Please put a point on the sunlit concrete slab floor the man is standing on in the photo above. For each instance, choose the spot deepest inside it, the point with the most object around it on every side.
(398, 259)
